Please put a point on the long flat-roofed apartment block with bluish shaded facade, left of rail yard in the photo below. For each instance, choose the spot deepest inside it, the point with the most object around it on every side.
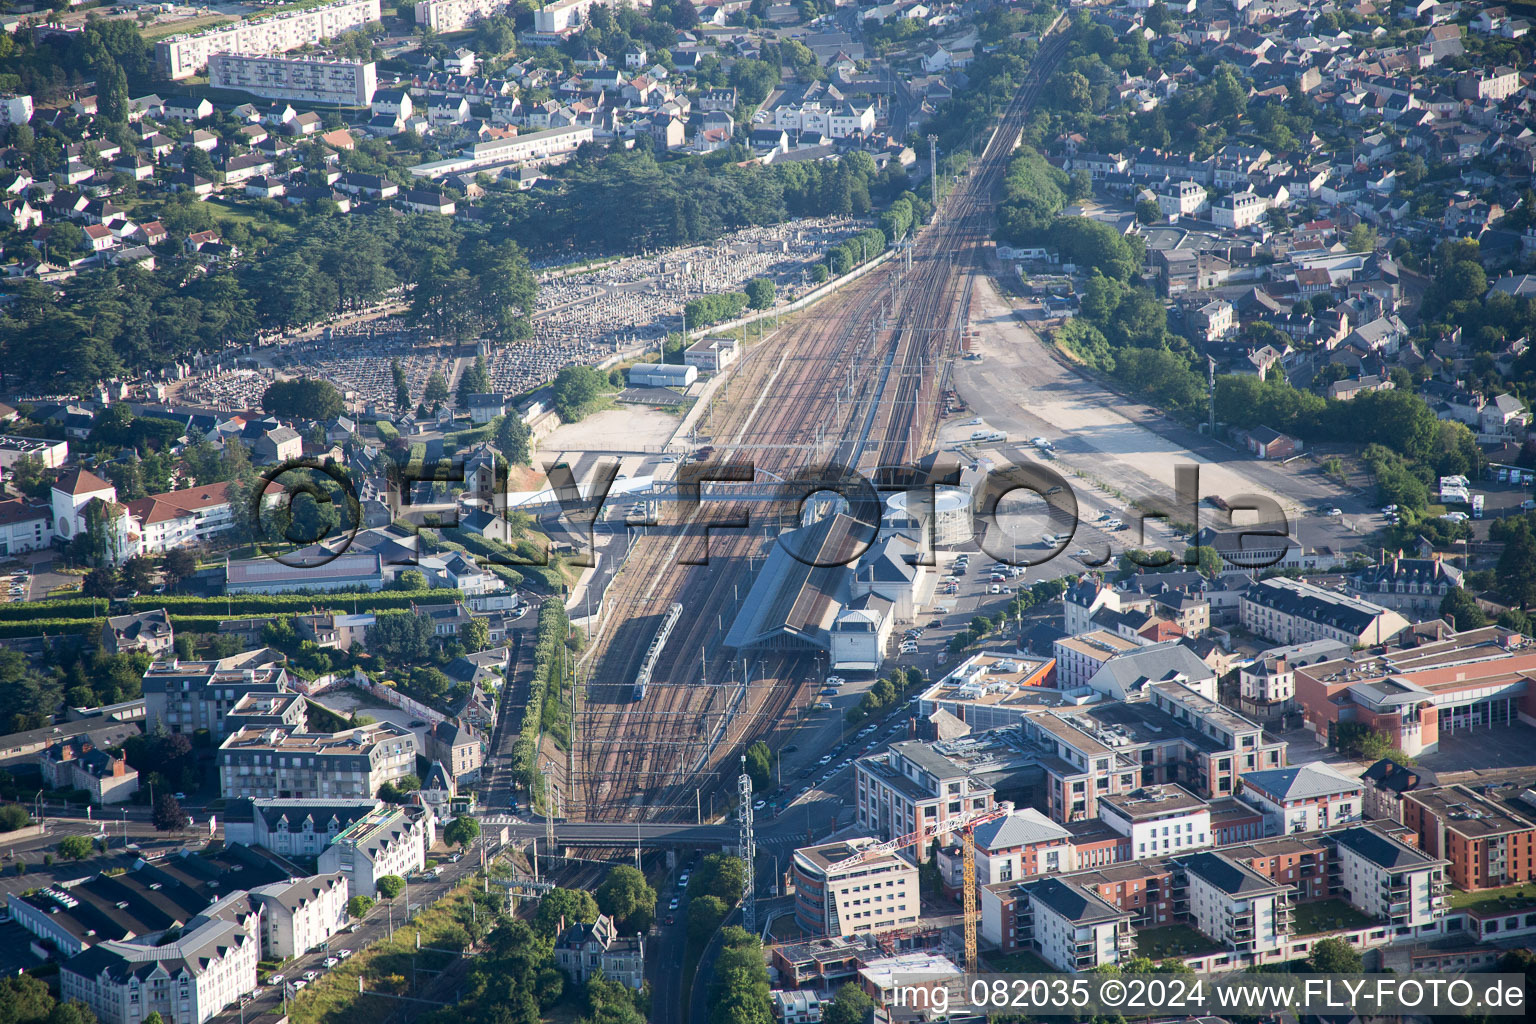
(285, 762)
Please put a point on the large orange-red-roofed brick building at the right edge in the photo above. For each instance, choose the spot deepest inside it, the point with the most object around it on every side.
(1425, 689)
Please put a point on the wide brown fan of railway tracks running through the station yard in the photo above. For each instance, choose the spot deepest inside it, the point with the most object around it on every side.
(646, 761)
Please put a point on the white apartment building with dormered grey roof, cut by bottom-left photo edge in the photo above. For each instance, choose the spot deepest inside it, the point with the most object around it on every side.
(188, 980)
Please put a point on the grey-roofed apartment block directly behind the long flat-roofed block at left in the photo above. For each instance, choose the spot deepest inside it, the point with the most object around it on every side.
(187, 696)
